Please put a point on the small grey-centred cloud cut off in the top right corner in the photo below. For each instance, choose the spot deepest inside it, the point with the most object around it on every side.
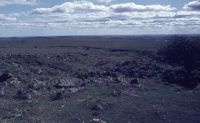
(193, 5)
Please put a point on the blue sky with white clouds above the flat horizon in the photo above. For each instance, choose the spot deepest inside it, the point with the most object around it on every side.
(98, 17)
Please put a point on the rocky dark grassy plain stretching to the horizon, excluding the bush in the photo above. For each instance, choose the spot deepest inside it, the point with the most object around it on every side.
(90, 79)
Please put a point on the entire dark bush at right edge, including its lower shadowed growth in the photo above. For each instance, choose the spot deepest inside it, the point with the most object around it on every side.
(182, 52)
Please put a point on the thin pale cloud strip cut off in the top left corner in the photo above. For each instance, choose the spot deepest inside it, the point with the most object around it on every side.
(6, 2)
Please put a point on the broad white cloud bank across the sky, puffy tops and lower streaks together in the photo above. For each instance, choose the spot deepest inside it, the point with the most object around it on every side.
(130, 16)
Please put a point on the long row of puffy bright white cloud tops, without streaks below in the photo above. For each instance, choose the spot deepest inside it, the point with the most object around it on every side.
(86, 6)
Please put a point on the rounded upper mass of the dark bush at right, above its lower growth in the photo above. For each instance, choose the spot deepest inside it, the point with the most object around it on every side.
(182, 51)
